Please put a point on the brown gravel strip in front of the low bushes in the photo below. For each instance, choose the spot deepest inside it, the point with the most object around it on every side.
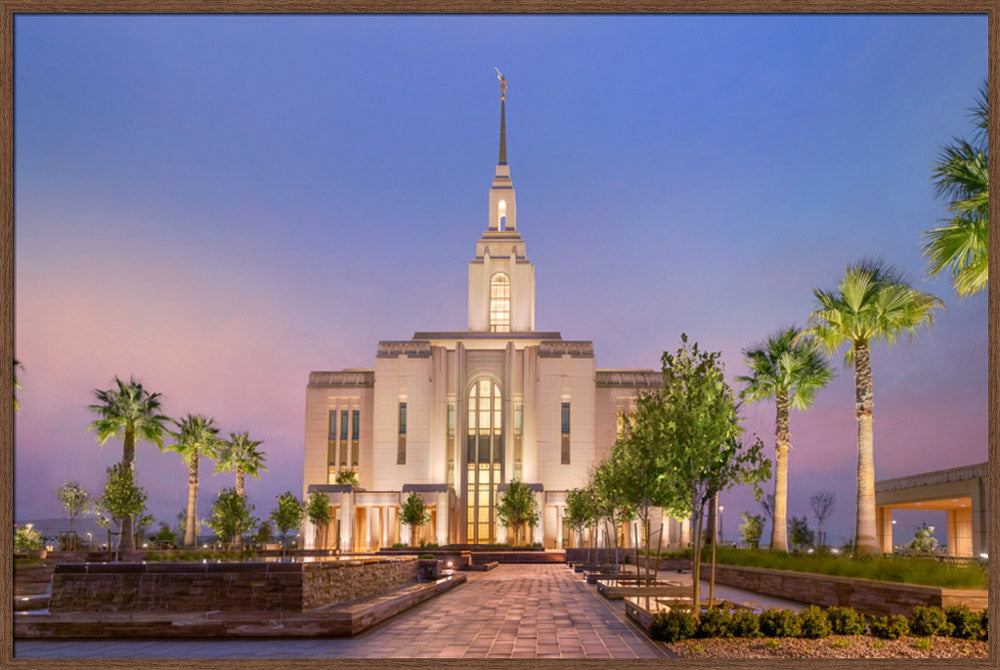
(835, 646)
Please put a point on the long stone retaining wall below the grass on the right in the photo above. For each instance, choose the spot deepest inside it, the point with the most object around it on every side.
(864, 595)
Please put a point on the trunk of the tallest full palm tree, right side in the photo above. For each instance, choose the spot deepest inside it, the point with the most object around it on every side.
(865, 541)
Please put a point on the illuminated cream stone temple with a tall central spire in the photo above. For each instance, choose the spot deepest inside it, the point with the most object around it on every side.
(456, 415)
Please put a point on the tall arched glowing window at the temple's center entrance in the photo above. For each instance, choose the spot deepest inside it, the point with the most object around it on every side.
(484, 459)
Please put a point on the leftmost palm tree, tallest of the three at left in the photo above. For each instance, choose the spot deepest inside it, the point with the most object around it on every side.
(127, 411)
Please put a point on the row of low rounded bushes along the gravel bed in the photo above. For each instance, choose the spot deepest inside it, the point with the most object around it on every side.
(680, 623)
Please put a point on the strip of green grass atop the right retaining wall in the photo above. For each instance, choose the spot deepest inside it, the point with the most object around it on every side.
(906, 569)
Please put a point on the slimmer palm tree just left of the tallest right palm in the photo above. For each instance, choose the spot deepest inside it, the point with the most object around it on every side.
(790, 370)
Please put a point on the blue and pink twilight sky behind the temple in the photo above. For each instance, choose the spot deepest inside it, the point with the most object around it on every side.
(218, 205)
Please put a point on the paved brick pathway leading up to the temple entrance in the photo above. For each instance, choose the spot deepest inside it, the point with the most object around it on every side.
(513, 611)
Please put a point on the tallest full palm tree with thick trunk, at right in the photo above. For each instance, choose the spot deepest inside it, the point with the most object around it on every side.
(872, 302)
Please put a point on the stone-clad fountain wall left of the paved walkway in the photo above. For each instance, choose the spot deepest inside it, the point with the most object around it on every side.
(227, 587)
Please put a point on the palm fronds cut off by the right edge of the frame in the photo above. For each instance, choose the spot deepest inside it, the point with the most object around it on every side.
(961, 176)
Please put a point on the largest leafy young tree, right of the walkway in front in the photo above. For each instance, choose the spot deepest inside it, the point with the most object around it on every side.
(696, 421)
